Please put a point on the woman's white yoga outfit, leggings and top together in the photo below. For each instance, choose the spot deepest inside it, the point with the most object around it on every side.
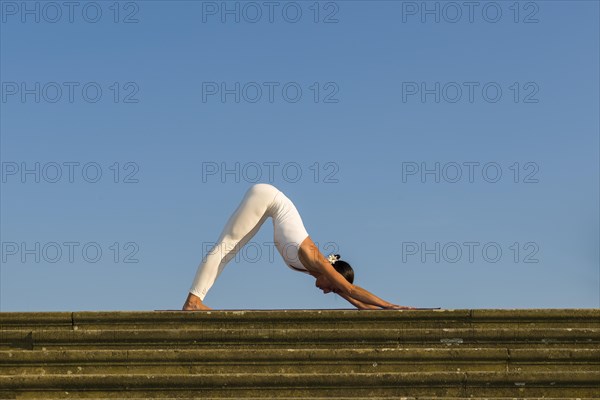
(260, 202)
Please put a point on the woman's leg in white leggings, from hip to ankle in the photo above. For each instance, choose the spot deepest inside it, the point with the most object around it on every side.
(240, 228)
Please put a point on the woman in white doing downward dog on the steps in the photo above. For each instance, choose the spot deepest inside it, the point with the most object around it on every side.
(291, 240)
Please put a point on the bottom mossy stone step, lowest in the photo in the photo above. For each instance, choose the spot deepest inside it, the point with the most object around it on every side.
(581, 384)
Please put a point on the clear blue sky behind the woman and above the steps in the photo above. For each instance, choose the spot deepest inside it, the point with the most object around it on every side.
(345, 106)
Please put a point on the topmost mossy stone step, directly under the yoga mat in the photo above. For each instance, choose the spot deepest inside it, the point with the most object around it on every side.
(303, 319)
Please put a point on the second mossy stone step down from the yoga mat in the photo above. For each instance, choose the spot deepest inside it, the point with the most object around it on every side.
(27, 339)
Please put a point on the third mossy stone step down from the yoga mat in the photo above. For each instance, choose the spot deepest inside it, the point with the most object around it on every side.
(339, 360)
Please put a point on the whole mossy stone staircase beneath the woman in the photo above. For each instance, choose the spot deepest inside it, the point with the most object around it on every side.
(302, 354)
